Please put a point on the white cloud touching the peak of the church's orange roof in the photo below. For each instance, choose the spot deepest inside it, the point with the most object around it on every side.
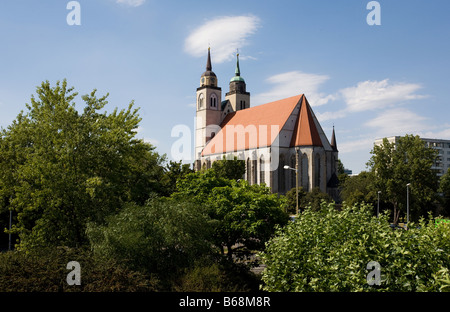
(294, 83)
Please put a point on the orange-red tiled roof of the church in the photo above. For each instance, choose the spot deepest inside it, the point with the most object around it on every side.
(259, 126)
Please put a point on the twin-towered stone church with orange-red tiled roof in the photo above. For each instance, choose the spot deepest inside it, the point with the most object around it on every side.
(279, 141)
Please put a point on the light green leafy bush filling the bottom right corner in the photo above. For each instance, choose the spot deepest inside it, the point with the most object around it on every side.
(328, 250)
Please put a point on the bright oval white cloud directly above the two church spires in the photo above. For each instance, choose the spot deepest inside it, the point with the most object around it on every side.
(223, 34)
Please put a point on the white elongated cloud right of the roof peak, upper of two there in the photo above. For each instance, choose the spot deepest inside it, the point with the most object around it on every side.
(369, 95)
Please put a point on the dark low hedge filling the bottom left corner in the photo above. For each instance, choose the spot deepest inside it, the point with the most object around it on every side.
(45, 270)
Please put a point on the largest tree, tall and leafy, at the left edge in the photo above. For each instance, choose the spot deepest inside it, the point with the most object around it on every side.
(60, 168)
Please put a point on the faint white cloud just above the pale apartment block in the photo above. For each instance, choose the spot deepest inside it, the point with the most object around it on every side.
(397, 121)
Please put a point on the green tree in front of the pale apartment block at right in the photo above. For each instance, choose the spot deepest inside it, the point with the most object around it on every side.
(407, 161)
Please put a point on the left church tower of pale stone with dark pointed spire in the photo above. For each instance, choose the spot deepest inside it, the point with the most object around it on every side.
(208, 117)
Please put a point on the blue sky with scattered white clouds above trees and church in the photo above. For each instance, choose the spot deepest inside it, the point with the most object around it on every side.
(369, 81)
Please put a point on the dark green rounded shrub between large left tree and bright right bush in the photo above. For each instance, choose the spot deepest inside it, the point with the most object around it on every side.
(161, 237)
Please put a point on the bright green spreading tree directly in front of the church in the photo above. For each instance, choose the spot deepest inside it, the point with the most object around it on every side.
(242, 214)
